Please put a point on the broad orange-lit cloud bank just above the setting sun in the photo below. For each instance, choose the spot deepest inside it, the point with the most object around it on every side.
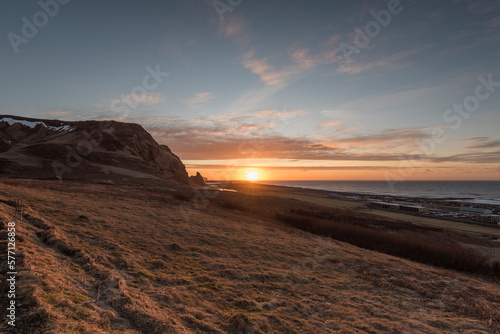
(238, 138)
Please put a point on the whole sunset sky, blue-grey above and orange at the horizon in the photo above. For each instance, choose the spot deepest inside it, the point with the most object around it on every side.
(278, 90)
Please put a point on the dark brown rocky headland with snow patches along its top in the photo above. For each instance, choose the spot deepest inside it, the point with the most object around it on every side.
(86, 150)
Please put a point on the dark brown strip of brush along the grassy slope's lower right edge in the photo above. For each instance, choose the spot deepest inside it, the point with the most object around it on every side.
(444, 255)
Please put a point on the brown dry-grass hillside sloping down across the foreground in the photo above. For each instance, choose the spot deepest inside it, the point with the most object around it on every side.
(117, 259)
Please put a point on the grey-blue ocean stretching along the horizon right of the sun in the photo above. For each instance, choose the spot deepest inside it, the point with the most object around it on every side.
(485, 192)
